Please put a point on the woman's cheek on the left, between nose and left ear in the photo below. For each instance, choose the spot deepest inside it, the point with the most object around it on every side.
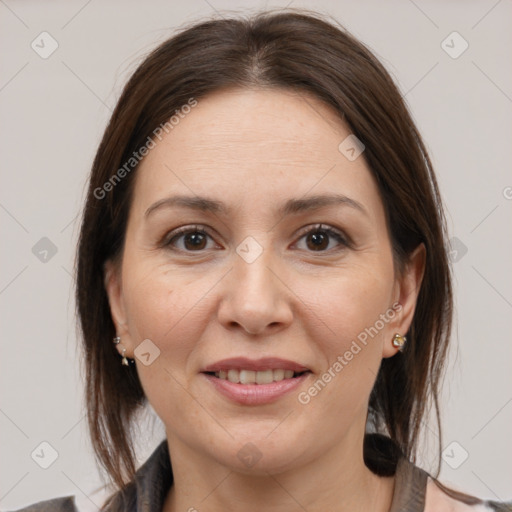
(170, 310)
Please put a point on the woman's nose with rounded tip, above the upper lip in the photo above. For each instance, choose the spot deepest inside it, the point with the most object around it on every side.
(255, 298)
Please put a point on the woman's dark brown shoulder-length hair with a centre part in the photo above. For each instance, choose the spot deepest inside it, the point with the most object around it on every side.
(301, 52)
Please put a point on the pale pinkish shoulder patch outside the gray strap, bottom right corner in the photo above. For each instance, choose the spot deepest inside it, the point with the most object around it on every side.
(439, 498)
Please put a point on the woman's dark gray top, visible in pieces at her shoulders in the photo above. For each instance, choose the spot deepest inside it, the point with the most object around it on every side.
(148, 490)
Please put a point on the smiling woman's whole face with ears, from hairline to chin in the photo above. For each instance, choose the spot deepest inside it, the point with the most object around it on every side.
(254, 244)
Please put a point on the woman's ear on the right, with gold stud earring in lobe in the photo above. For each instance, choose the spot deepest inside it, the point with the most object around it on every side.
(407, 288)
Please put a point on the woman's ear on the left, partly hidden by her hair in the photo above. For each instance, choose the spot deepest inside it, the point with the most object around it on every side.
(114, 288)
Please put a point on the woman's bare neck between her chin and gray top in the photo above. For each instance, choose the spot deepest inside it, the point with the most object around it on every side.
(338, 481)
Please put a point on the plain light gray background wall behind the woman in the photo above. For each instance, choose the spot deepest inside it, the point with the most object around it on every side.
(54, 111)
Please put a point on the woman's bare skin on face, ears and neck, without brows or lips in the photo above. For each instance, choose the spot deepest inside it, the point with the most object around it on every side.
(254, 149)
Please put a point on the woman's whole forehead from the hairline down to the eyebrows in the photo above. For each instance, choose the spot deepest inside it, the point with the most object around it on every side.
(254, 144)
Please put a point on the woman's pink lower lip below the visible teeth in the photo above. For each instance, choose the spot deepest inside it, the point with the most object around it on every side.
(255, 394)
